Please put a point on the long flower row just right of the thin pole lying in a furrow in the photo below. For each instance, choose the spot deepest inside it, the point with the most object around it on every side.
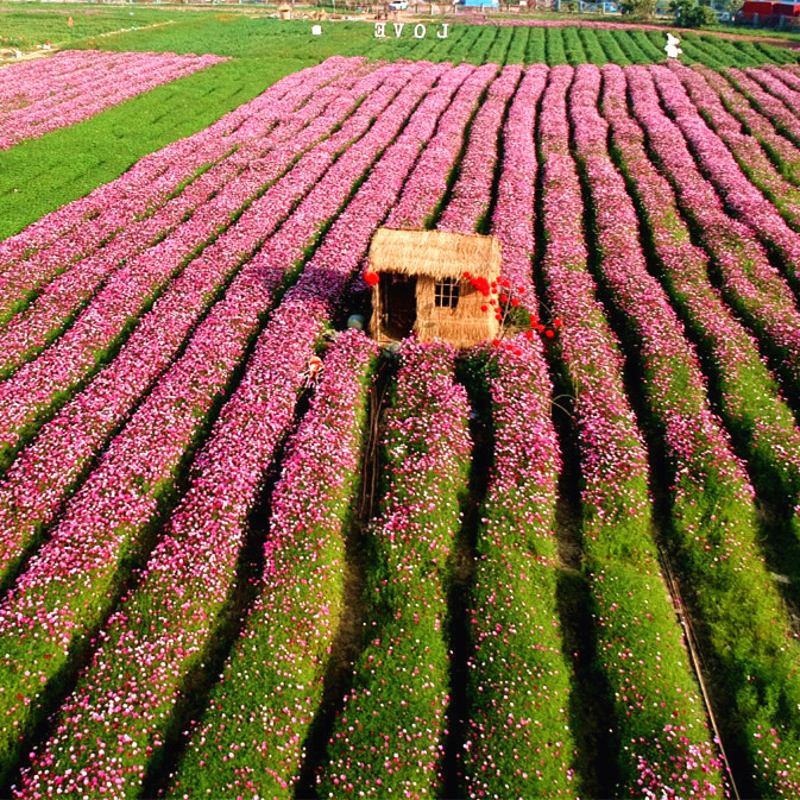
(714, 531)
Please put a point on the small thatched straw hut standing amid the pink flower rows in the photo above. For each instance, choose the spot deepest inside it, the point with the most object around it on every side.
(421, 287)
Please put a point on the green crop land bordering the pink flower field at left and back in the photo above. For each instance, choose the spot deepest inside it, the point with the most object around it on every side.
(40, 175)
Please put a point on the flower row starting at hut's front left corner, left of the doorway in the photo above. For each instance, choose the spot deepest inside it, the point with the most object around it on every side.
(272, 685)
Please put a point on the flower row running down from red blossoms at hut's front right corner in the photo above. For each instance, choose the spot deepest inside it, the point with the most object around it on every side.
(519, 742)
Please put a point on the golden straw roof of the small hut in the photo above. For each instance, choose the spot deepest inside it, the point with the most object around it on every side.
(438, 254)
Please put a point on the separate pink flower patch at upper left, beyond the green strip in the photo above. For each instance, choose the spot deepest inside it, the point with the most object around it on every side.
(39, 96)
